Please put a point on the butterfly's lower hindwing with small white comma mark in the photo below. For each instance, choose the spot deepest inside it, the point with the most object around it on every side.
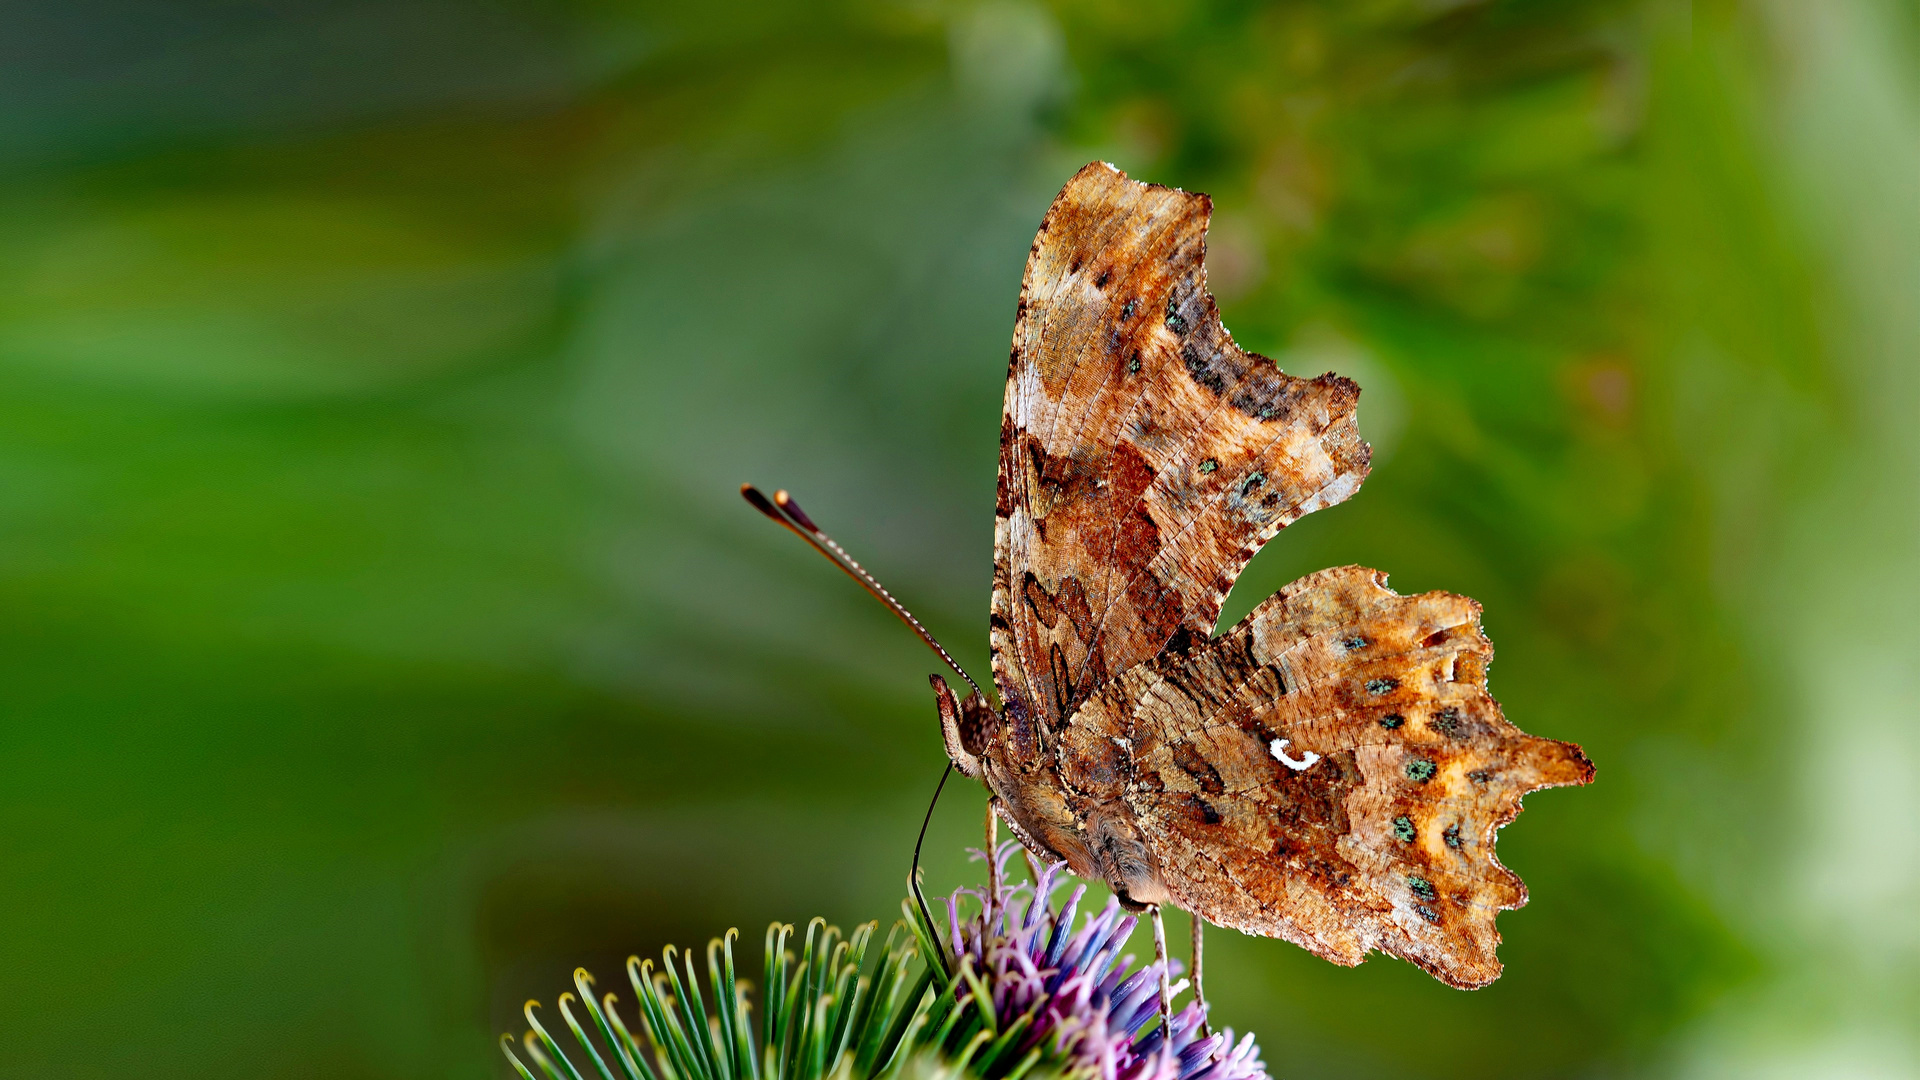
(1372, 825)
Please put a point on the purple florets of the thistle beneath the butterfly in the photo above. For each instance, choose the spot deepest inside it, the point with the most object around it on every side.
(1076, 987)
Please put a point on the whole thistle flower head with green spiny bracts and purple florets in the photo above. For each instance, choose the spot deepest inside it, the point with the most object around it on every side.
(1007, 994)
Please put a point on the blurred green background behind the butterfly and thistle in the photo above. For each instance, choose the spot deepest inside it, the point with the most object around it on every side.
(381, 631)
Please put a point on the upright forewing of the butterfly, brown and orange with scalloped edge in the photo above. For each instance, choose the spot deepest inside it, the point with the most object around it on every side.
(1143, 454)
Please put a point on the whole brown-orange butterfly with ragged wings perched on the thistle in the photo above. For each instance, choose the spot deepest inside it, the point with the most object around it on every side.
(1332, 770)
